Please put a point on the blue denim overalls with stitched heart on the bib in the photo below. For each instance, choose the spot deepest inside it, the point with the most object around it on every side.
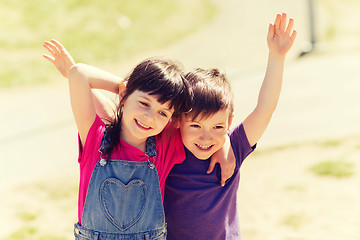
(123, 200)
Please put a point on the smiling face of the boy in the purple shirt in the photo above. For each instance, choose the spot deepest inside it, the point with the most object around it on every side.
(204, 136)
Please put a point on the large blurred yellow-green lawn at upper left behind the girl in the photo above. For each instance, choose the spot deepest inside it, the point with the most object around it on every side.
(93, 31)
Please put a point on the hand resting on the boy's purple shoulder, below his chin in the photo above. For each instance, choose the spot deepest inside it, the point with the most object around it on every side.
(226, 158)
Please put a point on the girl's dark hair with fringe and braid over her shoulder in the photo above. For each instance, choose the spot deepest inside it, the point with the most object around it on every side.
(156, 76)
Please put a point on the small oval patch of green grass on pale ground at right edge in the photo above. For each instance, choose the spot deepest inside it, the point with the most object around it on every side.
(337, 168)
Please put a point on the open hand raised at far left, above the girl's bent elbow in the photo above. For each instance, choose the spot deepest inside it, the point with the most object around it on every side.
(60, 57)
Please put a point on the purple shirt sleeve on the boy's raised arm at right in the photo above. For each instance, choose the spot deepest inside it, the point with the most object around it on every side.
(240, 144)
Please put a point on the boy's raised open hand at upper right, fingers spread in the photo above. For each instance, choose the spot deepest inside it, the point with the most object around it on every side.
(280, 37)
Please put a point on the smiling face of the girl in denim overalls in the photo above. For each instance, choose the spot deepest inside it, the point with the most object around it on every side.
(143, 116)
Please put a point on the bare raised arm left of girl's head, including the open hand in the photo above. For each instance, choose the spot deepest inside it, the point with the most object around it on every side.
(82, 78)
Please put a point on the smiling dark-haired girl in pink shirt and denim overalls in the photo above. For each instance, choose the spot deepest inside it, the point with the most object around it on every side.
(123, 166)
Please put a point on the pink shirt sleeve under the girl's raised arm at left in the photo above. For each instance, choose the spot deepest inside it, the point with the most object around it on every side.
(92, 142)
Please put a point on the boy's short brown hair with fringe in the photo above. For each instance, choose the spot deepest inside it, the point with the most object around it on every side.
(210, 92)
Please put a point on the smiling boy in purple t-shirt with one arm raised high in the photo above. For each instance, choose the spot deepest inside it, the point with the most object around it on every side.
(196, 207)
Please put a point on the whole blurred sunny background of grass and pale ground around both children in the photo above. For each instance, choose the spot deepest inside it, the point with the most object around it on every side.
(305, 186)
